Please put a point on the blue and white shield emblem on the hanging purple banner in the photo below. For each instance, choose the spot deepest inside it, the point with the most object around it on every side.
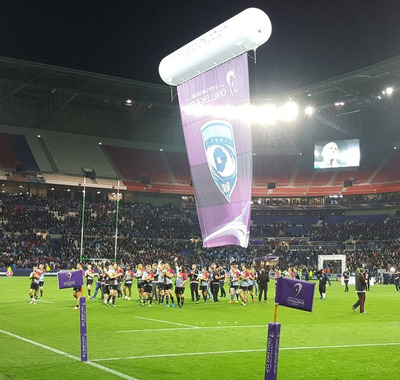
(219, 146)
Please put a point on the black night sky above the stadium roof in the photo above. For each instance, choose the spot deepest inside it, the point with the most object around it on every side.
(312, 40)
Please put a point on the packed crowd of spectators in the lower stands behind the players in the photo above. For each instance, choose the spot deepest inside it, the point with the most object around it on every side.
(45, 230)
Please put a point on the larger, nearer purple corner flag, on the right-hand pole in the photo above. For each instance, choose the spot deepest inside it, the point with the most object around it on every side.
(294, 293)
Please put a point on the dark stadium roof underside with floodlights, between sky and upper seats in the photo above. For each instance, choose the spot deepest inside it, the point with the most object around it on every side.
(142, 111)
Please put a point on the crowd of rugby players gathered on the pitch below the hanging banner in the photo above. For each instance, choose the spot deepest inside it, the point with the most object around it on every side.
(161, 283)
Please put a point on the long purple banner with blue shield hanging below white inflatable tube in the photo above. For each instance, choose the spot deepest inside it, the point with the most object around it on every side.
(217, 130)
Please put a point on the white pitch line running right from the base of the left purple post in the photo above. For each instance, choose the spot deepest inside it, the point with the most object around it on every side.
(246, 351)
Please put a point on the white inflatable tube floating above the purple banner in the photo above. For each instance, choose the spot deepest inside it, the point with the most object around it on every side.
(244, 32)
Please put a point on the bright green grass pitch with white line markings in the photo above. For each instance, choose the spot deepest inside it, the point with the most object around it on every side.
(201, 341)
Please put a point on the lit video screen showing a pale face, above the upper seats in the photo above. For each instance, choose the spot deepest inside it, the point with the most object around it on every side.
(337, 154)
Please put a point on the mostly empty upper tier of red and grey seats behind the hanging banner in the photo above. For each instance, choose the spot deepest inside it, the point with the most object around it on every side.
(61, 160)
